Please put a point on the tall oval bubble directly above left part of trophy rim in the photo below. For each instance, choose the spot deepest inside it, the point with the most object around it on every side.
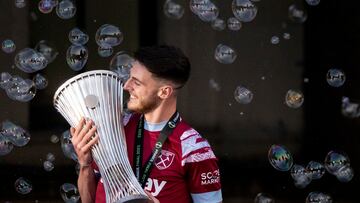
(76, 57)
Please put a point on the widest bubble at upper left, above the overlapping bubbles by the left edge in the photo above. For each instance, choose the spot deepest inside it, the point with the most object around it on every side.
(29, 60)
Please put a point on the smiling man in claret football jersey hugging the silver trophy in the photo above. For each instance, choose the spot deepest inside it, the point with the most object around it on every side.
(173, 163)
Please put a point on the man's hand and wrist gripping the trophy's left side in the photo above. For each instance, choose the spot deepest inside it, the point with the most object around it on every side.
(84, 136)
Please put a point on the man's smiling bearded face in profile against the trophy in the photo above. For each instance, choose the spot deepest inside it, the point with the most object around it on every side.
(143, 89)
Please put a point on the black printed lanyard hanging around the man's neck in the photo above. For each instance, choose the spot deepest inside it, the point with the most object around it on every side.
(142, 174)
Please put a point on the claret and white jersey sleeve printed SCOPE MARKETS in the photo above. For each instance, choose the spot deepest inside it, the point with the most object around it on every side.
(201, 165)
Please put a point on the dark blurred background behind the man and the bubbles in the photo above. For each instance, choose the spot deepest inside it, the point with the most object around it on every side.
(241, 135)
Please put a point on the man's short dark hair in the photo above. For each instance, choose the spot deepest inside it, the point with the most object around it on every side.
(165, 62)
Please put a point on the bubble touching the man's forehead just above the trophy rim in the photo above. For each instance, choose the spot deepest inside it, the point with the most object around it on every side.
(121, 64)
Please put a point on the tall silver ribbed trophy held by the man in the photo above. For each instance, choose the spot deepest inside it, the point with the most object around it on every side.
(98, 95)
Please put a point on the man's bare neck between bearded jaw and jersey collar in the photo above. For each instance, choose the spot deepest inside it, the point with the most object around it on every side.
(161, 113)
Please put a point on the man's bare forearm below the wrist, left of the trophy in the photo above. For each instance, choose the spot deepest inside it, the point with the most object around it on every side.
(87, 184)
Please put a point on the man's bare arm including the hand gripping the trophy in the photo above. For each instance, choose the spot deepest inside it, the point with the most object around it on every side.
(83, 138)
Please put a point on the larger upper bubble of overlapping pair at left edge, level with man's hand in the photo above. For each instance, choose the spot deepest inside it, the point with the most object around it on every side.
(15, 134)
